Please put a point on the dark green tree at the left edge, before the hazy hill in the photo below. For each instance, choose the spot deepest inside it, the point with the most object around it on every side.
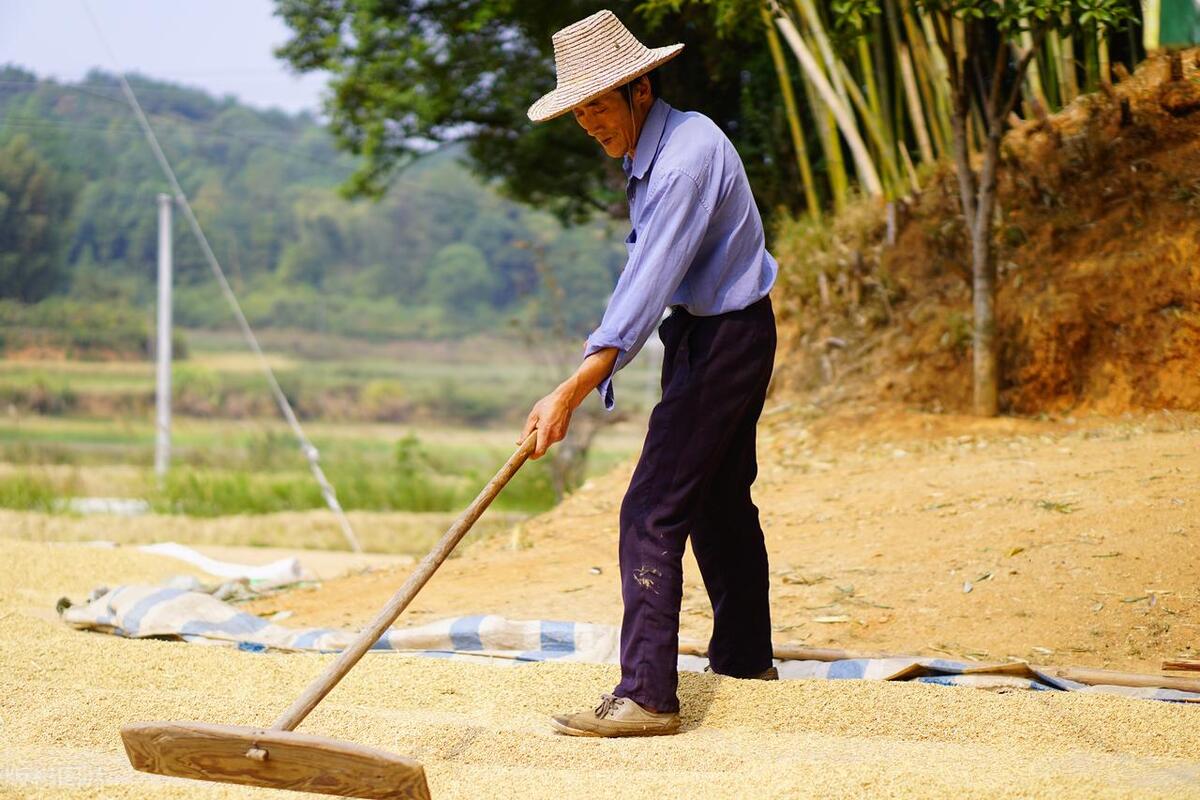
(34, 209)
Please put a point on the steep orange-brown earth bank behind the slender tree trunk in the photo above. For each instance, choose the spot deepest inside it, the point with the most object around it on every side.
(1099, 256)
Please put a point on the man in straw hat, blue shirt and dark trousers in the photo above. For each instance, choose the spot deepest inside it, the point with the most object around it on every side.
(697, 245)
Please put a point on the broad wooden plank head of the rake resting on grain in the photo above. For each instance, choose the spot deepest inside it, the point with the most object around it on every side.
(286, 760)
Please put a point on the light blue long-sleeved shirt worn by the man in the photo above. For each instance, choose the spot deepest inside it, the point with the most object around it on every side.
(697, 238)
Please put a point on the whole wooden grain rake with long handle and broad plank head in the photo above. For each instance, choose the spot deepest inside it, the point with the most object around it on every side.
(280, 759)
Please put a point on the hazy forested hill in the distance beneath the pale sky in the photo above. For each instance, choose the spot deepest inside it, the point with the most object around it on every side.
(441, 256)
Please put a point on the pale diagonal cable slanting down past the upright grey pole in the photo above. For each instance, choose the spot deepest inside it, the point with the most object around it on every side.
(307, 447)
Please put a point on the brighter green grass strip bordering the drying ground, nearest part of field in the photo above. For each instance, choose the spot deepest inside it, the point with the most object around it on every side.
(257, 468)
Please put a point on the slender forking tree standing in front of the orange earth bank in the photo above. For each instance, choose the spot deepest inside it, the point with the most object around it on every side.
(977, 39)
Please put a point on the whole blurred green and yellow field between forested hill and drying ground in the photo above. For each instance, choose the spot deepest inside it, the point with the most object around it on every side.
(459, 410)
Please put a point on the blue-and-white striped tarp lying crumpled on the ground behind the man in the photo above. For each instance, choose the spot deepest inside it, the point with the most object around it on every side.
(143, 611)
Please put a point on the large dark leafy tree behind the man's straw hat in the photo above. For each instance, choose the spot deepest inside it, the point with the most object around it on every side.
(411, 73)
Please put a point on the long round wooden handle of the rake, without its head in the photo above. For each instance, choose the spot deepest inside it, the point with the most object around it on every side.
(399, 603)
